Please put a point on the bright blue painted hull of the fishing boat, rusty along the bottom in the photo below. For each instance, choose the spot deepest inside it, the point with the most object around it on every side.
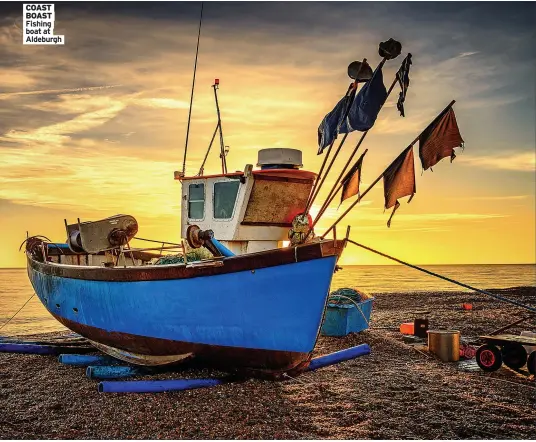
(266, 318)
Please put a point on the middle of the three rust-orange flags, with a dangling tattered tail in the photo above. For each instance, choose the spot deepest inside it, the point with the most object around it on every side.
(399, 180)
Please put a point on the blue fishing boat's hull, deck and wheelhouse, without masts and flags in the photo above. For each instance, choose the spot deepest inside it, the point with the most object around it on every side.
(258, 309)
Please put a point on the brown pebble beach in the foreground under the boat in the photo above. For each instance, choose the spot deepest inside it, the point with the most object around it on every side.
(396, 392)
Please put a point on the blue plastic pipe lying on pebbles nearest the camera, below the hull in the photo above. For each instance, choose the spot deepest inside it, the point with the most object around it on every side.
(156, 386)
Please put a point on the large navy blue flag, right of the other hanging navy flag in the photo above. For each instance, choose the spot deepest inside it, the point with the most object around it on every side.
(366, 105)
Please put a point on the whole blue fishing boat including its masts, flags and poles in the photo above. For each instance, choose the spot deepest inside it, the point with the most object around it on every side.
(255, 300)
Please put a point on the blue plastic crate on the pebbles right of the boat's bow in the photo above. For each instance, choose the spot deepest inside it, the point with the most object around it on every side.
(342, 319)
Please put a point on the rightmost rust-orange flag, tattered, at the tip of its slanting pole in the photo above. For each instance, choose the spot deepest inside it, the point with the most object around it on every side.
(439, 139)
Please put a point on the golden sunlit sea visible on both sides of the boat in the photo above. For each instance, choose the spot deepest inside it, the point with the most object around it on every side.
(16, 290)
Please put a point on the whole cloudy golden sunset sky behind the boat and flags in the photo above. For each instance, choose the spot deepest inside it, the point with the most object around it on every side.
(97, 126)
